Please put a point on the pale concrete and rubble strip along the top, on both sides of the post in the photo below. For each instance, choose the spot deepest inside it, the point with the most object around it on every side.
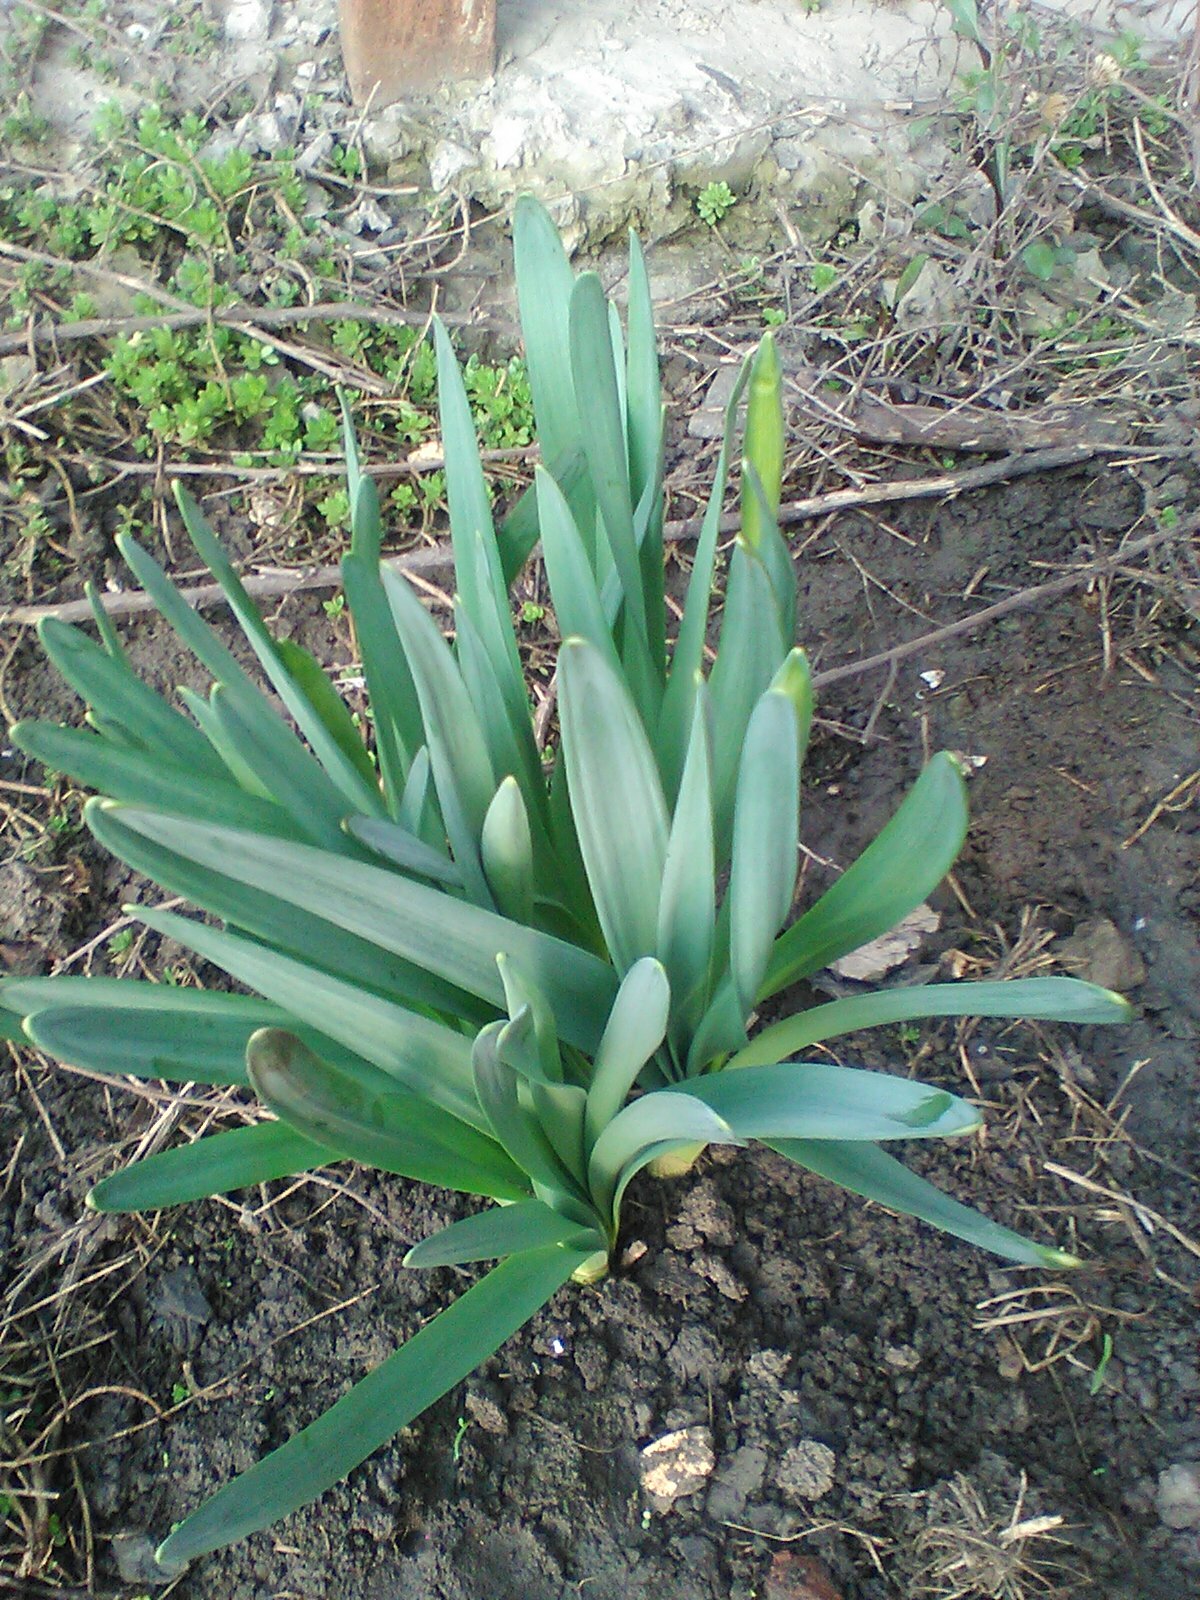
(620, 113)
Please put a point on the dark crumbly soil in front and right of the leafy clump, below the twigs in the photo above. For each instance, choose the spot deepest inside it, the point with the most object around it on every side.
(758, 1303)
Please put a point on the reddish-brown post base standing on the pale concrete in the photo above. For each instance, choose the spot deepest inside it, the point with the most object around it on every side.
(396, 47)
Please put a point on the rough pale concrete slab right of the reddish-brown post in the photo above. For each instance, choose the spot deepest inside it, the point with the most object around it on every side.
(618, 113)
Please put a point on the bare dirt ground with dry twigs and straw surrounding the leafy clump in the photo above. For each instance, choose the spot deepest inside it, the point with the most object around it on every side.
(892, 1415)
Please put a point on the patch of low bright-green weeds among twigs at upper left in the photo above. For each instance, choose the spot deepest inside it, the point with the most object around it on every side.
(202, 228)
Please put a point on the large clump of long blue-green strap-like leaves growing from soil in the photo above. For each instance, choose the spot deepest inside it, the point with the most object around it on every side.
(516, 980)
